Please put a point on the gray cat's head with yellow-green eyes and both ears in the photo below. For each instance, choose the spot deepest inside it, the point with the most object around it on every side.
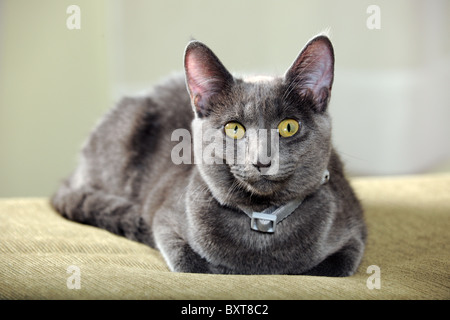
(268, 137)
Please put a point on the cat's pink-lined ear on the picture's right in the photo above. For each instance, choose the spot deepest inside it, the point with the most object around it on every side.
(311, 74)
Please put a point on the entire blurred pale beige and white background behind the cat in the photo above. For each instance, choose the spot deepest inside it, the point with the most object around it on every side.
(390, 102)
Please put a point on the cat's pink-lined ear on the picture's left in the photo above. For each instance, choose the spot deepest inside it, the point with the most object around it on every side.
(206, 77)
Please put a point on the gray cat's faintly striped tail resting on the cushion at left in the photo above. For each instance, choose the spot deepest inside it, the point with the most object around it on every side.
(95, 207)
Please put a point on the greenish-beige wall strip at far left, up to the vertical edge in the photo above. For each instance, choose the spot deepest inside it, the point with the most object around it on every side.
(53, 84)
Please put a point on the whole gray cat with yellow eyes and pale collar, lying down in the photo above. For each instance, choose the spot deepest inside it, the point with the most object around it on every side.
(263, 191)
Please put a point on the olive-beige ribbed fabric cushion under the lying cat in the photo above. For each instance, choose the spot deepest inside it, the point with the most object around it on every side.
(408, 220)
